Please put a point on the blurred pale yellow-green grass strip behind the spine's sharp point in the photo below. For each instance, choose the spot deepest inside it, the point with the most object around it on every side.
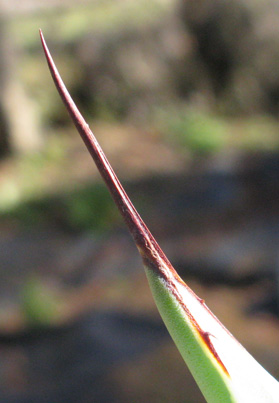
(70, 23)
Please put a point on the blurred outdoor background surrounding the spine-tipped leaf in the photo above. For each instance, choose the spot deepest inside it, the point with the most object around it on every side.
(183, 96)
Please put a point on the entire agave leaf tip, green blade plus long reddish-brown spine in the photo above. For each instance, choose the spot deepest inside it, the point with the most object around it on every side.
(222, 368)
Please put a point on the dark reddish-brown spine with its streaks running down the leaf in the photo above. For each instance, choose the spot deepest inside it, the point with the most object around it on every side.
(152, 255)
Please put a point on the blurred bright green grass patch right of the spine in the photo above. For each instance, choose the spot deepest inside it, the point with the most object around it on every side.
(207, 133)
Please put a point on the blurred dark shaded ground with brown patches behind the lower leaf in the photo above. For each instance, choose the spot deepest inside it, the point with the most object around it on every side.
(219, 226)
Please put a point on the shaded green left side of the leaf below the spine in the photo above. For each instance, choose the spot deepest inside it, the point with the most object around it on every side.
(212, 381)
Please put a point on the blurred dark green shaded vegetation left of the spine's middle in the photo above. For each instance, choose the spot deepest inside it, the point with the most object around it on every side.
(85, 209)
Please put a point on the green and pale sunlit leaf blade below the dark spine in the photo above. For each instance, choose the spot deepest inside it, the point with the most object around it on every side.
(224, 371)
